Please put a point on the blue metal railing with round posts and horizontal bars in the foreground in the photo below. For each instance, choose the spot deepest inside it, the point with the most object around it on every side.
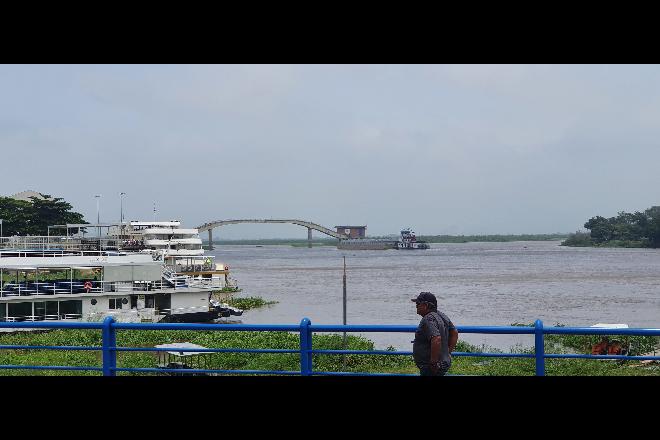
(109, 346)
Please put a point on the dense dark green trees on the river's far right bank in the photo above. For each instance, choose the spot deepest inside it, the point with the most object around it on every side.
(639, 229)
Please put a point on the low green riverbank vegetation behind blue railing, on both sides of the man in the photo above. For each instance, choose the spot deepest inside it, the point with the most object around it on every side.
(482, 366)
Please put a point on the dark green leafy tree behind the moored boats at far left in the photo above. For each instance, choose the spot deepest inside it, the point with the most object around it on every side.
(20, 217)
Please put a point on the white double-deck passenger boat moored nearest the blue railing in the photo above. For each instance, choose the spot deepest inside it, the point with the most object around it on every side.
(56, 285)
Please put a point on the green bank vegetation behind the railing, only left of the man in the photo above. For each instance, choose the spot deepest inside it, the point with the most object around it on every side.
(216, 339)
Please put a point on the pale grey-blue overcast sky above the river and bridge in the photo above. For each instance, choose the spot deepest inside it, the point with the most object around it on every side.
(458, 149)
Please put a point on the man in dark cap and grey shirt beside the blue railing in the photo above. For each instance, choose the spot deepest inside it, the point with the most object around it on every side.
(435, 337)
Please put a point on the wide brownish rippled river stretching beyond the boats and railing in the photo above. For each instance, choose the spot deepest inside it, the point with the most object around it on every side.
(475, 283)
